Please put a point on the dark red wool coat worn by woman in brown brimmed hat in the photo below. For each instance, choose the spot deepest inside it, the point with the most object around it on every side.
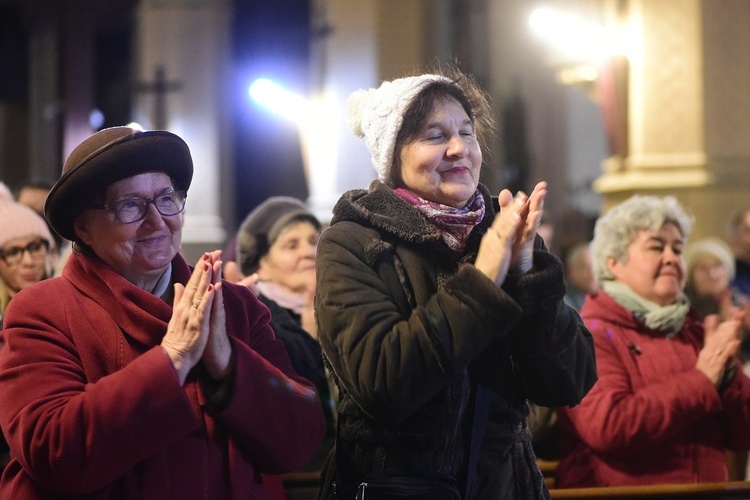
(92, 407)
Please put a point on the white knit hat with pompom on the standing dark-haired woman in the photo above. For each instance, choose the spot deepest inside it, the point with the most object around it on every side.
(377, 116)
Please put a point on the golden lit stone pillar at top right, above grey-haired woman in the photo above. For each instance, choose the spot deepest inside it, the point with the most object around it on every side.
(688, 109)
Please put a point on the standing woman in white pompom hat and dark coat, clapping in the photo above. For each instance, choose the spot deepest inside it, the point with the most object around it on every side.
(439, 309)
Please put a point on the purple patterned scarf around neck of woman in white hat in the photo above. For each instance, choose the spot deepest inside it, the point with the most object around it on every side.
(454, 224)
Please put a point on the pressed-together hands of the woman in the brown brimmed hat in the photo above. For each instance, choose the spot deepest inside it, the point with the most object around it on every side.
(197, 330)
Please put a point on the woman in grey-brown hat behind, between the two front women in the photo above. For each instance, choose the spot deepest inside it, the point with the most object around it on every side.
(276, 247)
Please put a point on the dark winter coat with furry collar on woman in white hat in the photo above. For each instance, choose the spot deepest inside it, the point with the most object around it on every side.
(410, 334)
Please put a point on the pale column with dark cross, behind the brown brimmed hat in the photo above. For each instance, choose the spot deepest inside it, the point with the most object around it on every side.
(182, 63)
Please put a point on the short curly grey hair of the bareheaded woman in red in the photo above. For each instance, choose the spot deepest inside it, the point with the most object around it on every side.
(616, 230)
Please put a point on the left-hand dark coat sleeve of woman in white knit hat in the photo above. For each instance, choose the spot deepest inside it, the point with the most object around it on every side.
(390, 359)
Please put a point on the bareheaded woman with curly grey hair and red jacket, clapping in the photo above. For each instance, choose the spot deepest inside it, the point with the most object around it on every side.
(671, 394)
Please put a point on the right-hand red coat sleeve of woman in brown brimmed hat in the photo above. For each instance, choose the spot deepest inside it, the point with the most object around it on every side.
(274, 415)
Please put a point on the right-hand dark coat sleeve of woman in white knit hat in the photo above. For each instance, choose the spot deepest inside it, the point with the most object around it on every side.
(553, 352)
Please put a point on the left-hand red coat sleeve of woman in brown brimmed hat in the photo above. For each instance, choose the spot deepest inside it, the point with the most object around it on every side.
(61, 425)
